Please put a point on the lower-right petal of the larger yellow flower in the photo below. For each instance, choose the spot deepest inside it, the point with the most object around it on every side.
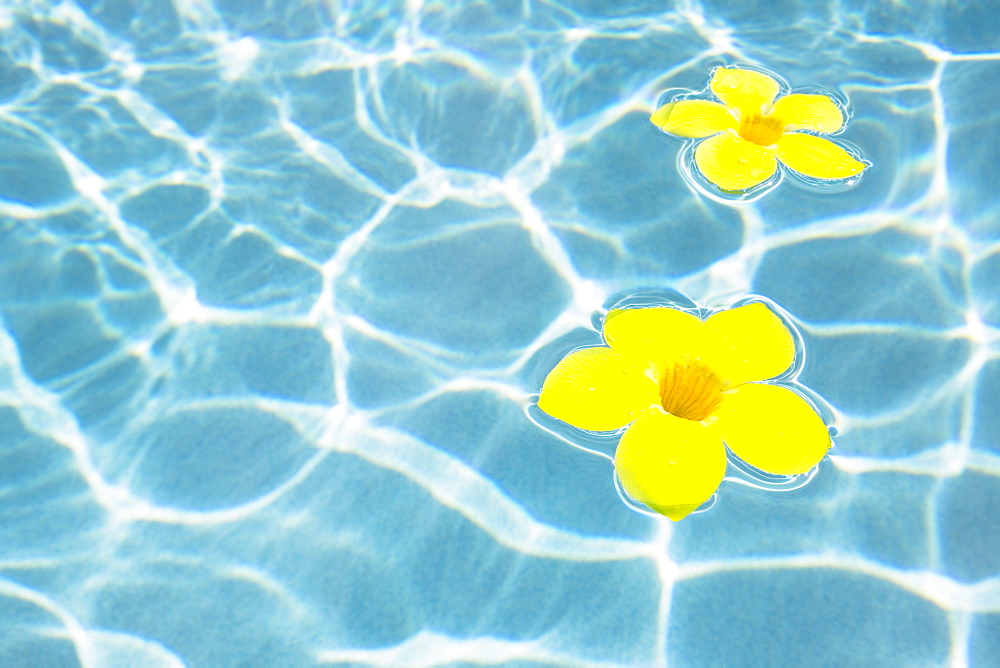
(772, 428)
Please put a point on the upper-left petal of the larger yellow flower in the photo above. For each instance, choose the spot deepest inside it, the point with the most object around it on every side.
(655, 334)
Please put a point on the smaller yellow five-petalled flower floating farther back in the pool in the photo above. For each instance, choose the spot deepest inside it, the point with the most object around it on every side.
(749, 132)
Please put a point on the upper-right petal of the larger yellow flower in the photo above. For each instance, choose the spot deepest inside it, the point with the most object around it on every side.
(751, 343)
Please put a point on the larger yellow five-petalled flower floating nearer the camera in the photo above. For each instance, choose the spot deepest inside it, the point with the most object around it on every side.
(686, 388)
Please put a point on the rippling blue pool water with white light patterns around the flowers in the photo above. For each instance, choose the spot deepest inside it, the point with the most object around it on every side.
(279, 283)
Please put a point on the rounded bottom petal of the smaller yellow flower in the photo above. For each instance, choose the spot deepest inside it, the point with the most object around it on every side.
(733, 163)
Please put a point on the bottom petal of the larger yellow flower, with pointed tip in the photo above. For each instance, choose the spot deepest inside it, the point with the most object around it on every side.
(670, 464)
